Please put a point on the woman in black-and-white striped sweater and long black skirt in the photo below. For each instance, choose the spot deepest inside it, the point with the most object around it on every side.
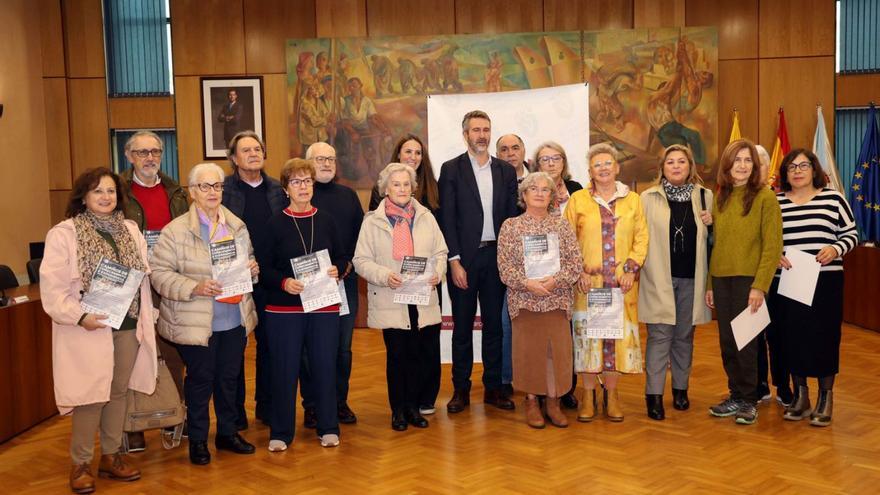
(817, 221)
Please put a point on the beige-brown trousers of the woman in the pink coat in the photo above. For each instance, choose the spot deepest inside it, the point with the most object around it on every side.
(108, 416)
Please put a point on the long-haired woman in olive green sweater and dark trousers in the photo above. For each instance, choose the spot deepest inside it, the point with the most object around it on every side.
(748, 244)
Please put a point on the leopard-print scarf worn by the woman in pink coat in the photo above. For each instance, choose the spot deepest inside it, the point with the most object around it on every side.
(91, 247)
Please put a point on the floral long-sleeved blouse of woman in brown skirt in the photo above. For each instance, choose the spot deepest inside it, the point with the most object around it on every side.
(512, 268)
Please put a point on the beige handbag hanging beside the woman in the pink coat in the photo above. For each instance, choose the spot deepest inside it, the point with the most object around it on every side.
(161, 409)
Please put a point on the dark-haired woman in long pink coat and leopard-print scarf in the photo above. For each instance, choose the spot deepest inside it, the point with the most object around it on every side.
(93, 364)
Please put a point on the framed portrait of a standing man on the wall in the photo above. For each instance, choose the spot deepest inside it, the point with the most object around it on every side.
(230, 105)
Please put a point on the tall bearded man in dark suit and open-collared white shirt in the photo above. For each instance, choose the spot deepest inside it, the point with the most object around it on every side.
(477, 194)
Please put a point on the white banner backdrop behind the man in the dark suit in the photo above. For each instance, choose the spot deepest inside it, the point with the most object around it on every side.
(559, 114)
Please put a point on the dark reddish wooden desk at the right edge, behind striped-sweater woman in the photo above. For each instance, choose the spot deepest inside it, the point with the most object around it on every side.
(861, 287)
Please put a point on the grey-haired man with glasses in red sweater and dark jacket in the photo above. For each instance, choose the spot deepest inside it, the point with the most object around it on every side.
(152, 200)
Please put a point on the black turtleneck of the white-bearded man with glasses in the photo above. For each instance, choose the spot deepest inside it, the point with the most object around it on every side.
(341, 203)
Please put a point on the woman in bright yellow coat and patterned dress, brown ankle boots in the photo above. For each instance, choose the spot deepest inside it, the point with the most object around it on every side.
(613, 237)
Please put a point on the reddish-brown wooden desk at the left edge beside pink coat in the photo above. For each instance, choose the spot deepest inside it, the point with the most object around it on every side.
(27, 395)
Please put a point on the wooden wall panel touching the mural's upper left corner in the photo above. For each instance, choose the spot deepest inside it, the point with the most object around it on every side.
(268, 24)
